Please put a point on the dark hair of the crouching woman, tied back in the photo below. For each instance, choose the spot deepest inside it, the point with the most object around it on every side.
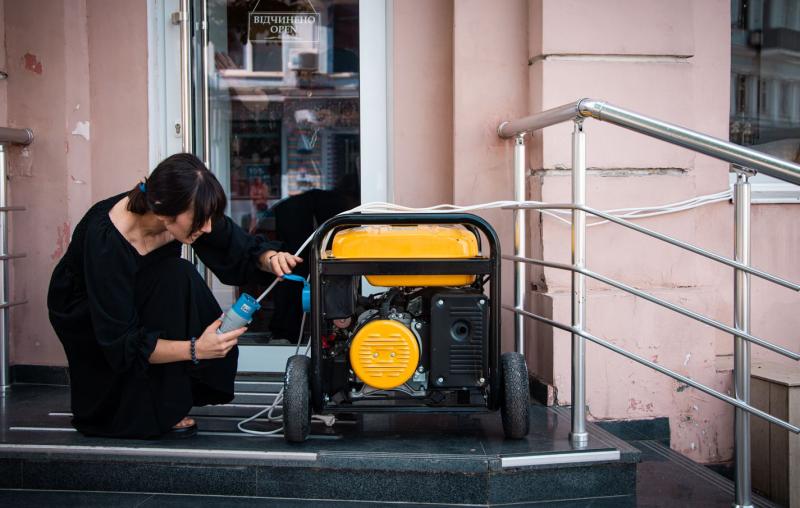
(178, 183)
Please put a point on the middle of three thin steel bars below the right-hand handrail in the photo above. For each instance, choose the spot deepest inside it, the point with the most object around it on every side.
(658, 301)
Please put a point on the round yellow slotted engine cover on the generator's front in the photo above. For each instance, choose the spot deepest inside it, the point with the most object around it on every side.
(384, 354)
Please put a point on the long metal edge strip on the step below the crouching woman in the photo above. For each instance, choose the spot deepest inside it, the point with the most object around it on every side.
(159, 452)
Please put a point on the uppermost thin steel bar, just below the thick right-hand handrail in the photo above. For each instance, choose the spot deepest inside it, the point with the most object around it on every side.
(668, 239)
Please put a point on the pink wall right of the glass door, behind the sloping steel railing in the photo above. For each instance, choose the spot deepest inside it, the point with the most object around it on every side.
(669, 60)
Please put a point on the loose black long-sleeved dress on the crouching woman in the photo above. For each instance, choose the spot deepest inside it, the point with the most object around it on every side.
(109, 305)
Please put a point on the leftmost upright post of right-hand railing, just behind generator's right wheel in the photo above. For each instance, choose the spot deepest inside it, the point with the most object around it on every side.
(519, 243)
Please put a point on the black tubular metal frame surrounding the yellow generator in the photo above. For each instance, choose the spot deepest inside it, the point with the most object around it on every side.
(479, 266)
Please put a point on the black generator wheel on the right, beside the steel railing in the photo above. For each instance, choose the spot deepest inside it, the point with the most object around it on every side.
(516, 398)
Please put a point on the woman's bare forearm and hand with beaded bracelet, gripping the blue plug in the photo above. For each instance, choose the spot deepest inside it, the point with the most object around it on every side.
(209, 345)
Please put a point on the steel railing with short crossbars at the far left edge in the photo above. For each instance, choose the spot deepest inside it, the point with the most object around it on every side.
(20, 137)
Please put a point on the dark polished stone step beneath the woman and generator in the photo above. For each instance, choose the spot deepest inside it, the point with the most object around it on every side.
(380, 458)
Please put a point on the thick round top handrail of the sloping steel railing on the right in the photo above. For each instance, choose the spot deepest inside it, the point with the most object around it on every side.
(665, 131)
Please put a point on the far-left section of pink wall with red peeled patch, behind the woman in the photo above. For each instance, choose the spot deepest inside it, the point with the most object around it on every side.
(38, 175)
